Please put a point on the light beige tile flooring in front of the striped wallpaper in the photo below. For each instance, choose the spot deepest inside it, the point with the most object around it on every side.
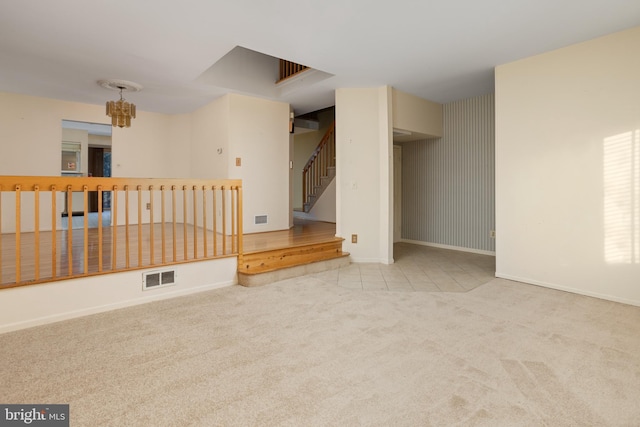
(418, 269)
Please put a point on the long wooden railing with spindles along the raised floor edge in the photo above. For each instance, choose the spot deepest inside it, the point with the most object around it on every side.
(151, 223)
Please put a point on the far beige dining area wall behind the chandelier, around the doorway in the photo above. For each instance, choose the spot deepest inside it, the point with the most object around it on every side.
(31, 136)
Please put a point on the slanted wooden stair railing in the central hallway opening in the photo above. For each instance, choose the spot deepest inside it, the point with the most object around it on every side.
(317, 167)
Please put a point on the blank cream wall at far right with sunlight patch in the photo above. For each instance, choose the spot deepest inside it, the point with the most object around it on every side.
(567, 168)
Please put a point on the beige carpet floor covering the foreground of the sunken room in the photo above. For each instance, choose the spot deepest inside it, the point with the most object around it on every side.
(309, 352)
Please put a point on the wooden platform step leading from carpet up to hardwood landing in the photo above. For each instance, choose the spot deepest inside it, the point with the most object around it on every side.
(259, 268)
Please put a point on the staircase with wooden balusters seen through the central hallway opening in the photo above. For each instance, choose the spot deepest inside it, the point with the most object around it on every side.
(320, 170)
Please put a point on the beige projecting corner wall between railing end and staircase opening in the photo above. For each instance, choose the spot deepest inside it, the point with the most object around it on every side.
(256, 131)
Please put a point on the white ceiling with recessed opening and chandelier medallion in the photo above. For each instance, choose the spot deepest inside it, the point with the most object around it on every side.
(441, 50)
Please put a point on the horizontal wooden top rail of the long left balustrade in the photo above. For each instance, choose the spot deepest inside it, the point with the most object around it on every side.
(77, 183)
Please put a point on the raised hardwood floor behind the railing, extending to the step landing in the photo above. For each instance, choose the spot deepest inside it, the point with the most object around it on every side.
(71, 258)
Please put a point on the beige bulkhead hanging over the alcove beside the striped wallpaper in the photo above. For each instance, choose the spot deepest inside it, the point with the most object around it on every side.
(416, 115)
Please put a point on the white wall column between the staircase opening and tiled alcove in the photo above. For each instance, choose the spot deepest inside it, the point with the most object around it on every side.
(364, 184)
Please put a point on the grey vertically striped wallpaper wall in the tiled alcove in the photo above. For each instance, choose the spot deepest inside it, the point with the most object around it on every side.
(448, 195)
